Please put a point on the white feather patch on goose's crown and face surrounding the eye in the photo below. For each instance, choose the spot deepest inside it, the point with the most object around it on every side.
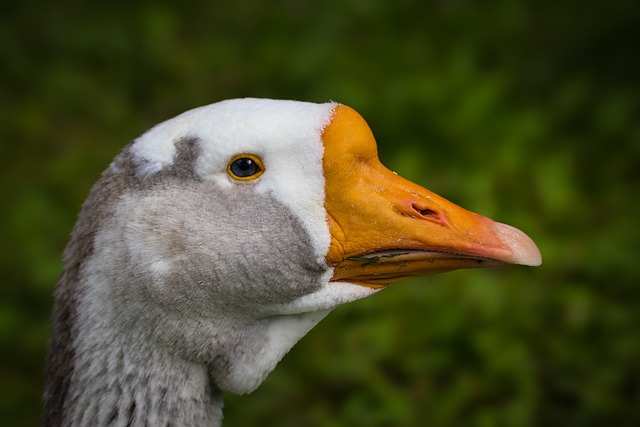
(286, 135)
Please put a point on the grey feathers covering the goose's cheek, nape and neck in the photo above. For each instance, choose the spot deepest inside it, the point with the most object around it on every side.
(148, 348)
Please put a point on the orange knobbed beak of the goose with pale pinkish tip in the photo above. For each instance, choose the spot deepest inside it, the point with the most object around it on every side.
(385, 228)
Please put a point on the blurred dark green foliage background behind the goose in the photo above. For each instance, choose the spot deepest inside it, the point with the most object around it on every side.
(527, 112)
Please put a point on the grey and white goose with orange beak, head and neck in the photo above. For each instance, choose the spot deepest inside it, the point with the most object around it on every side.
(217, 239)
